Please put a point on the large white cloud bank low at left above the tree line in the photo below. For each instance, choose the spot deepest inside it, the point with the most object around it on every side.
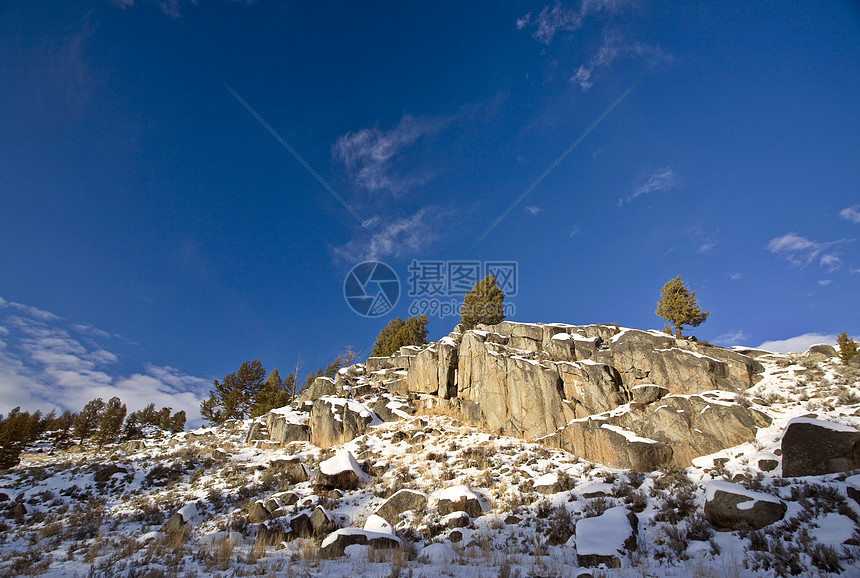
(46, 362)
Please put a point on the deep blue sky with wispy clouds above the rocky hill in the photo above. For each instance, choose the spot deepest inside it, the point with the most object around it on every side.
(154, 233)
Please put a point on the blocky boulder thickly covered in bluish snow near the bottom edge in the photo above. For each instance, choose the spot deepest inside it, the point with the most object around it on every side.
(604, 539)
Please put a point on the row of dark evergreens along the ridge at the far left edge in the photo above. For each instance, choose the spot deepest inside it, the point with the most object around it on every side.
(99, 422)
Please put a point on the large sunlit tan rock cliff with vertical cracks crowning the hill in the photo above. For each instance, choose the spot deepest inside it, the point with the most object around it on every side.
(623, 397)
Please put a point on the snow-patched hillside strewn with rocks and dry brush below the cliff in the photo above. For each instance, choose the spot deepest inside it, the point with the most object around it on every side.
(428, 494)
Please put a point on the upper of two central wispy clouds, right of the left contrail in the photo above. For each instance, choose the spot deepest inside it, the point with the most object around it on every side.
(370, 155)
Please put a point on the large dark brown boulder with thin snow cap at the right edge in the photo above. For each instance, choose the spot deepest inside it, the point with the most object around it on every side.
(813, 447)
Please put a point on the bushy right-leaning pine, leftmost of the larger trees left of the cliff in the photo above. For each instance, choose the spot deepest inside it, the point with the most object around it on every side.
(232, 398)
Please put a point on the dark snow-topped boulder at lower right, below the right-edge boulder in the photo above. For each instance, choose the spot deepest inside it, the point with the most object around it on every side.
(731, 507)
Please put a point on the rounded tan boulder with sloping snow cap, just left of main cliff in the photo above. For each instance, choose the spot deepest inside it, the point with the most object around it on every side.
(334, 421)
